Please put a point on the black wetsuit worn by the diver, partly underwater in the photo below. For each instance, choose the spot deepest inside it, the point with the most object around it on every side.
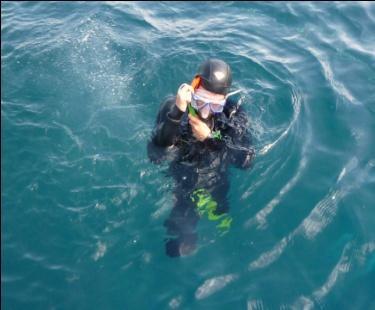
(197, 165)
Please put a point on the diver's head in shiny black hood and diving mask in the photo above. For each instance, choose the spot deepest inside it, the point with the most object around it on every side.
(211, 85)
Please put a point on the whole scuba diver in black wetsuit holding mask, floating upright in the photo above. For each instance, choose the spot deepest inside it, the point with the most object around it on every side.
(202, 132)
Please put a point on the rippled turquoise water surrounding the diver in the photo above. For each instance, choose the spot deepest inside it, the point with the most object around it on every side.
(83, 208)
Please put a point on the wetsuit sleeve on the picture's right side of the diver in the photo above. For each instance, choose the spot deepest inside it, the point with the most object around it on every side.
(238, 141)
